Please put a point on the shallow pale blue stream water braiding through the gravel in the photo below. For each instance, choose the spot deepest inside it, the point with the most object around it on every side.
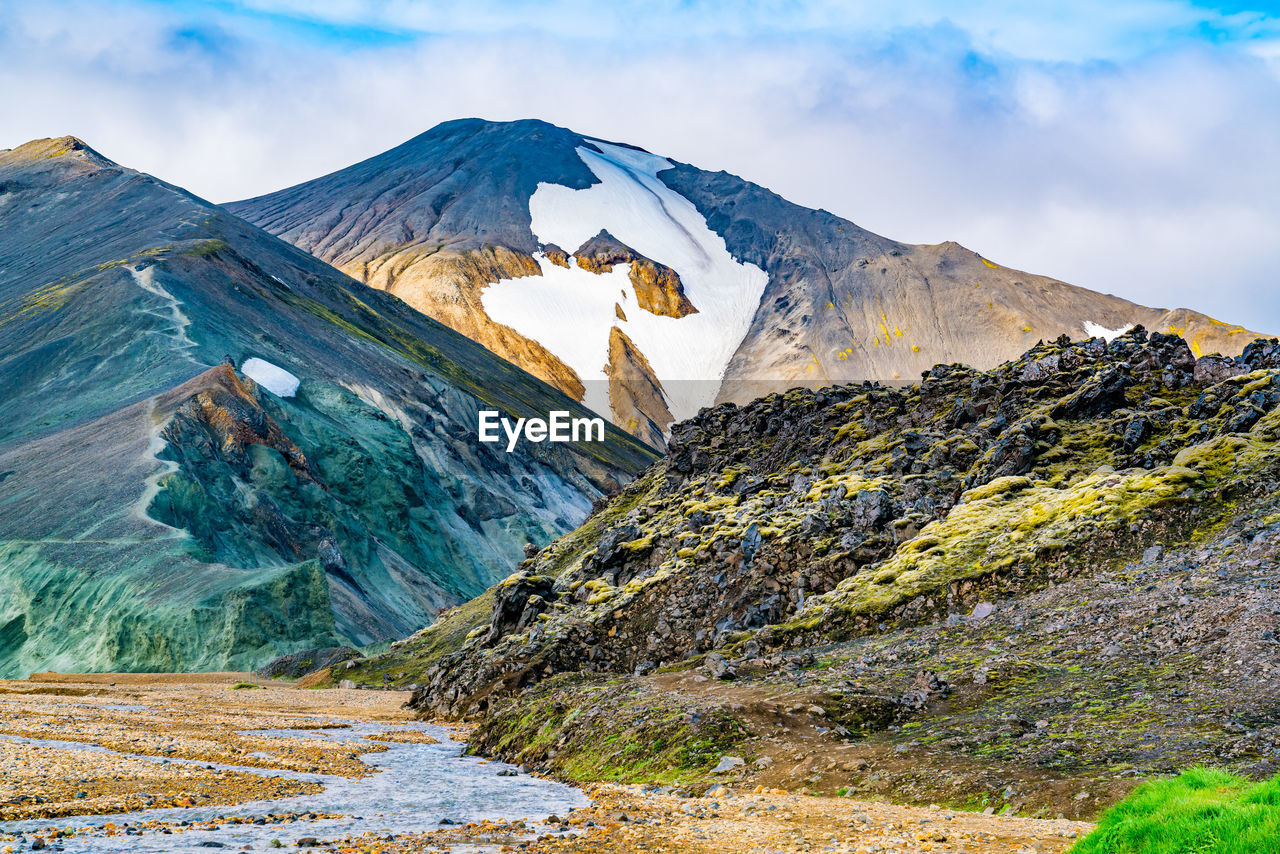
(417, 787)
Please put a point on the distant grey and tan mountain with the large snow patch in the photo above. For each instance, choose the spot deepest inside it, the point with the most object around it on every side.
(650, 289)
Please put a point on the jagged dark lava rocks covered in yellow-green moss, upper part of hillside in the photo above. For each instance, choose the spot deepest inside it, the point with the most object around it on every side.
(819, 515)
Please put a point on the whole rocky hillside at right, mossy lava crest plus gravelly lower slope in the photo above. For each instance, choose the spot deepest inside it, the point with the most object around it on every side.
(1031, 578)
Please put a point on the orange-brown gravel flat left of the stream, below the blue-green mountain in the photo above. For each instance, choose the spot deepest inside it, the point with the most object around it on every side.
(198, 716)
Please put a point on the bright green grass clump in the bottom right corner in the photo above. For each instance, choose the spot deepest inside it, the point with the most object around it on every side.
(1200, 812)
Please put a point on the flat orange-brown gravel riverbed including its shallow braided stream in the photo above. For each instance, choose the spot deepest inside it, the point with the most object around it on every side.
(166, 764)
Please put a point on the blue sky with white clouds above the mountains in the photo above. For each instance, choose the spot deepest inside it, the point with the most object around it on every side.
(1130, 147)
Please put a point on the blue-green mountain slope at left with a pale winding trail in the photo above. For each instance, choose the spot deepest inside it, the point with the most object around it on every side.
(216, 449)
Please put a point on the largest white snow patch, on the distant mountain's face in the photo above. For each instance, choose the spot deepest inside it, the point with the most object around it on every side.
(570, 312)
